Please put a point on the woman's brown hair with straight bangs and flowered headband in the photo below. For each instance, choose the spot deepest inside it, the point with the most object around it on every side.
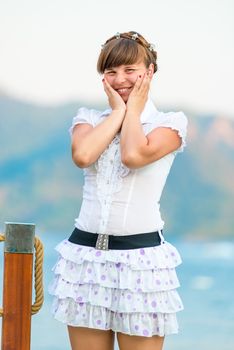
(125, 49)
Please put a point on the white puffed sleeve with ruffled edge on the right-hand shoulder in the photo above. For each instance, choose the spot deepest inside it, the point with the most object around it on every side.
(177, 121)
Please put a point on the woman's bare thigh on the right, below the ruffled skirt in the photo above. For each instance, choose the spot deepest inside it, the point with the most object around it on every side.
(133, 342)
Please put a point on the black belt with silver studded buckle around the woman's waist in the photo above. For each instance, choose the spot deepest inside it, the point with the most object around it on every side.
(105, 241)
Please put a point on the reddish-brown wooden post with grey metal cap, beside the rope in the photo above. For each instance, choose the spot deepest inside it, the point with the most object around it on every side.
(17, 286)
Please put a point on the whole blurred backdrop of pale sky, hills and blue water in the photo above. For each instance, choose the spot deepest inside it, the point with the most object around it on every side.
(48, 60)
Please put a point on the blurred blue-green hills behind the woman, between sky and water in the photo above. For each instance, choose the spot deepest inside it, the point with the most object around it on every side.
(39, 183)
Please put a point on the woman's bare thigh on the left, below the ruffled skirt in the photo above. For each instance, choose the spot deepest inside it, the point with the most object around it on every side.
(82, 338)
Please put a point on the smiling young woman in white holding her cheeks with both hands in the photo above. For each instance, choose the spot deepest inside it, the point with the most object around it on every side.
(116, 273)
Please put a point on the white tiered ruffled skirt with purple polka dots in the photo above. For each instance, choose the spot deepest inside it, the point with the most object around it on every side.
(129, 291)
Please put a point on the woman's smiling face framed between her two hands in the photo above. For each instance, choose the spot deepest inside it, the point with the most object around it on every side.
(122, 78)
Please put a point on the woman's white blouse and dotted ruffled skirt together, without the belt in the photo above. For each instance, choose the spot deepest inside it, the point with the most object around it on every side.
(130, 291)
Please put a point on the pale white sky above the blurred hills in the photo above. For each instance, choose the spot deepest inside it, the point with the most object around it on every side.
(49, 49)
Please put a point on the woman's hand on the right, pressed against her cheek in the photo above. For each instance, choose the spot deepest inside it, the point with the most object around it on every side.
(139, 95)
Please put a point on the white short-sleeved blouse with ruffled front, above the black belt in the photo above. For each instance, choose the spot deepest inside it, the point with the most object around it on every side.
(118, 200)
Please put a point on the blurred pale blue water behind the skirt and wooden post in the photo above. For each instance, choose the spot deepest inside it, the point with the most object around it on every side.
(207, 291)
